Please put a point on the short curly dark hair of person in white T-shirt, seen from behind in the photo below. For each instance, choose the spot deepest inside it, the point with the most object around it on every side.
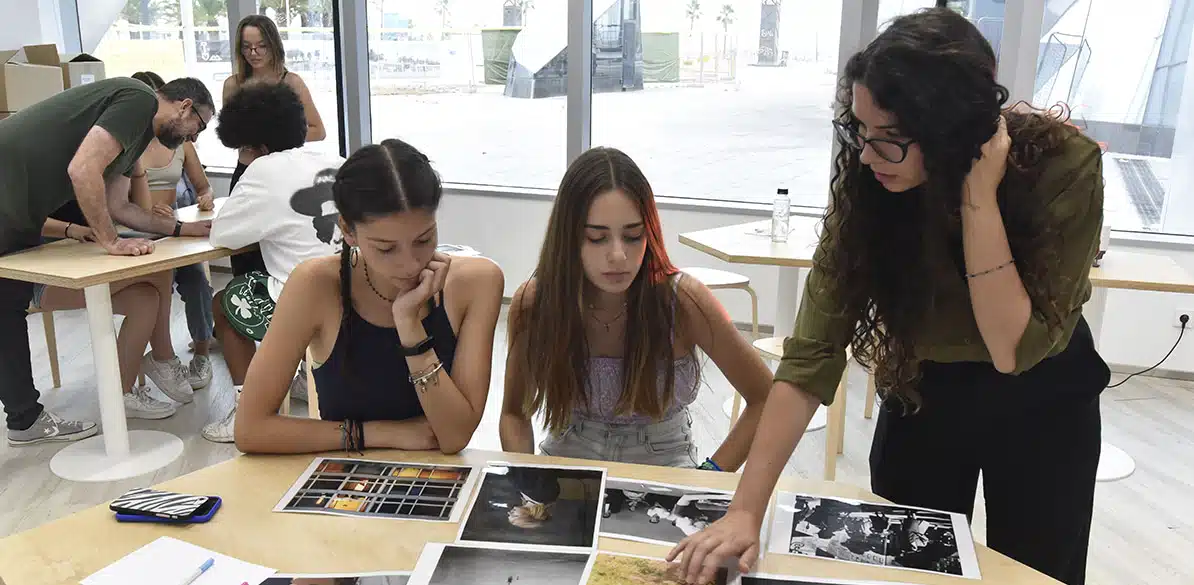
(263, 115)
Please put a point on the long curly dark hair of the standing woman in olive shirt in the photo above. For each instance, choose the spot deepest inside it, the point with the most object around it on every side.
(885, 256)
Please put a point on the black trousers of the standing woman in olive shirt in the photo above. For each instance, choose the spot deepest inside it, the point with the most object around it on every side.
(1036, 438)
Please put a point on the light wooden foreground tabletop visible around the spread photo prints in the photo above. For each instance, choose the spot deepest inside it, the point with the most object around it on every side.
(66, 551)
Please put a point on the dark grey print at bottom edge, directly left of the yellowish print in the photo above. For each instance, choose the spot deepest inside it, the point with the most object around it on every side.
(501, 565)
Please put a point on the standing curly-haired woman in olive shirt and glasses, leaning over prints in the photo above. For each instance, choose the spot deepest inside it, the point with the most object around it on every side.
(955, 261)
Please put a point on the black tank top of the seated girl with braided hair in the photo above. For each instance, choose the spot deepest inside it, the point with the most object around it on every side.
(367, 378)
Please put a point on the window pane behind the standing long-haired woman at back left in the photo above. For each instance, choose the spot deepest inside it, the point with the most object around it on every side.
(150, 36)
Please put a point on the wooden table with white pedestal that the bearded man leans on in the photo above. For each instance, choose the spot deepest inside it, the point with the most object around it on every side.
(116, 454)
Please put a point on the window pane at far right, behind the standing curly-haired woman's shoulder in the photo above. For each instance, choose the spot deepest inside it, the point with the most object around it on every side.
(1122, 70)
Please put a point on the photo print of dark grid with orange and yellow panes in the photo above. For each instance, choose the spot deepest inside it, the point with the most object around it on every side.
(381, 490)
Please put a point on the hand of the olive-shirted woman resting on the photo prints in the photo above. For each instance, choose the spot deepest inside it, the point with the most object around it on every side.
(736, 535)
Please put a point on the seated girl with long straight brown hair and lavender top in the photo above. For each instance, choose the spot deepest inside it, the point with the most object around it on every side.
(605, 337)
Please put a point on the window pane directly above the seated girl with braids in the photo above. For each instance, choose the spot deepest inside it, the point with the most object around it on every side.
(478, 85)
